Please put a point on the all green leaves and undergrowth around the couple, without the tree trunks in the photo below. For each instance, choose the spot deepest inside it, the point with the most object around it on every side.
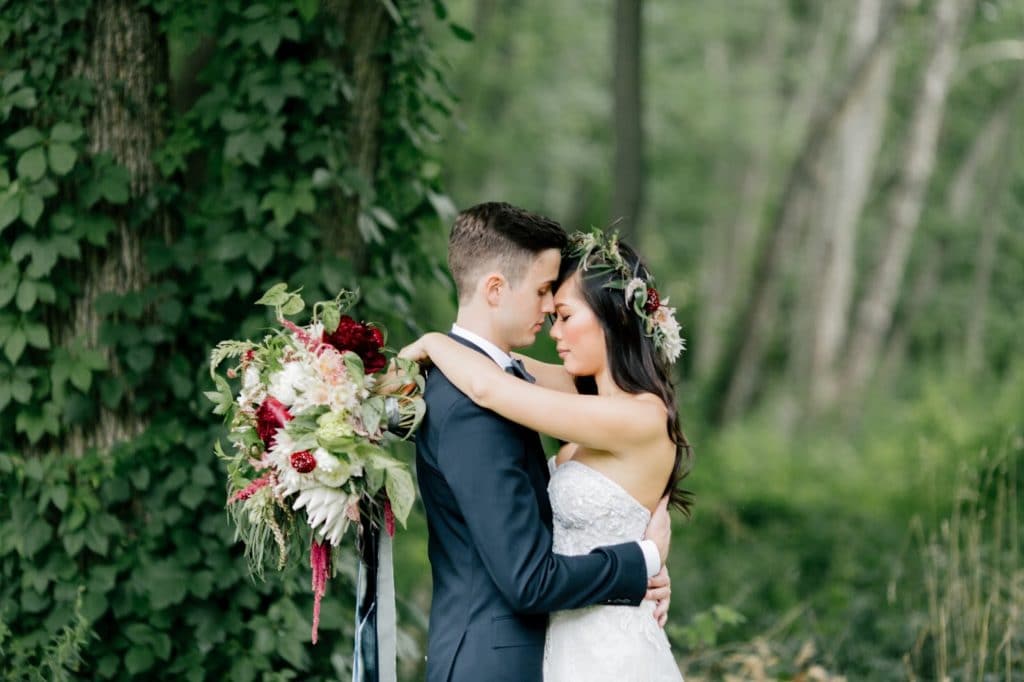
(829, 542)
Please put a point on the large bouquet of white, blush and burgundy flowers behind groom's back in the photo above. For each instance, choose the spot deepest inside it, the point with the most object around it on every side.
(309, 425)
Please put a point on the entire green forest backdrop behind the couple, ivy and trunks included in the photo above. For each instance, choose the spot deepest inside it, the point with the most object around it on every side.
(831, 193)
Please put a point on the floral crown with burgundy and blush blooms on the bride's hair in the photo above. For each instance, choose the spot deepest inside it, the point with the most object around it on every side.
(600, 253)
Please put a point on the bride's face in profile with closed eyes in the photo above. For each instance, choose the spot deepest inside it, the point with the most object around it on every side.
(578, 334)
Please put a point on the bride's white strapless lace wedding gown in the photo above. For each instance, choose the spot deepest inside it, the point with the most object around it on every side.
(602, 644)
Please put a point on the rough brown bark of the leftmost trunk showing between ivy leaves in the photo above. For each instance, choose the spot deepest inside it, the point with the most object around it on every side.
(126, 63)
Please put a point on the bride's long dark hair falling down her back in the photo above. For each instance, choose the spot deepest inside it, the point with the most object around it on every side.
(635, 364)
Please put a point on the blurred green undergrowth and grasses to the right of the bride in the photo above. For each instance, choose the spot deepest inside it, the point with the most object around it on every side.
(834, 536)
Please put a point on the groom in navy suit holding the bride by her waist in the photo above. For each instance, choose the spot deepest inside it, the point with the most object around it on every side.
(484, 480)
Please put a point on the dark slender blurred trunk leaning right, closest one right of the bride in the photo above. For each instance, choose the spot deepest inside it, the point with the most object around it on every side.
(738, 376)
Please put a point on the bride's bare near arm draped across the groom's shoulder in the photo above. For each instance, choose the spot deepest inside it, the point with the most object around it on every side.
(615, 423)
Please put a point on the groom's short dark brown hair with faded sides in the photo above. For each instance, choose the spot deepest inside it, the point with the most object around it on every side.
(499, 236)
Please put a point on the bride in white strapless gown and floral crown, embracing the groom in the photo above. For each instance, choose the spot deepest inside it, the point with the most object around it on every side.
(613, 403)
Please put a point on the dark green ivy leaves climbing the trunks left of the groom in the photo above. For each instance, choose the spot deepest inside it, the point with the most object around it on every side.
(253, 172)
